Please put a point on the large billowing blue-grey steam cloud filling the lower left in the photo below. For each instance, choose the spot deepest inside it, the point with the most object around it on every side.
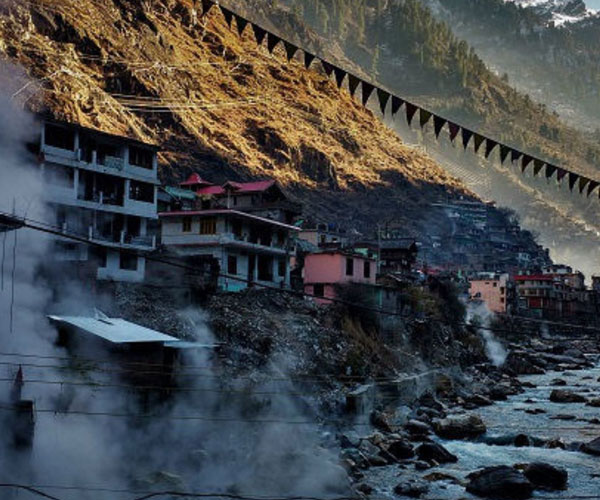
(241, 443)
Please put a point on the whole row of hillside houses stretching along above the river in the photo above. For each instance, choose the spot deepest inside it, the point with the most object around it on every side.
(105, 189)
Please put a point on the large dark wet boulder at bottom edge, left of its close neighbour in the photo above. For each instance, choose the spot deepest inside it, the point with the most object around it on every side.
(499, 482)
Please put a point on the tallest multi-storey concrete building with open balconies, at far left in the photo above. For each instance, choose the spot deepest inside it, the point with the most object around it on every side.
(103, 188)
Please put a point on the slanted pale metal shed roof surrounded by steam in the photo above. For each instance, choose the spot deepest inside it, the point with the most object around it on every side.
(115, 330)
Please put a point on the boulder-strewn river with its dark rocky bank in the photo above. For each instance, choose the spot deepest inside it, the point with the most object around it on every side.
(419, 456)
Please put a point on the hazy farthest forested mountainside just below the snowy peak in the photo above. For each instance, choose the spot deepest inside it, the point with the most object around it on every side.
(557, 65)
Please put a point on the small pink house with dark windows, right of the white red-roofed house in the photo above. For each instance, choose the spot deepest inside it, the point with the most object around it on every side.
(324, 270)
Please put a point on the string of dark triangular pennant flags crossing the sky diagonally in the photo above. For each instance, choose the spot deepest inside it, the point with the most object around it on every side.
(384, 96)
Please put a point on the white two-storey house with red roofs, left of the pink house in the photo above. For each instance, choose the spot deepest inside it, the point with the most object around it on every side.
(244, 228)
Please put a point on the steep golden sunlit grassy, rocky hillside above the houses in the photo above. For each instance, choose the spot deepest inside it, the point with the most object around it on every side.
(216, 103)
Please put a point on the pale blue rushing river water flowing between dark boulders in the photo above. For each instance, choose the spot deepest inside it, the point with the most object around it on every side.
(507, 419)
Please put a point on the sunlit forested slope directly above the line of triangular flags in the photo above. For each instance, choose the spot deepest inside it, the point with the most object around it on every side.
(403, 45)
